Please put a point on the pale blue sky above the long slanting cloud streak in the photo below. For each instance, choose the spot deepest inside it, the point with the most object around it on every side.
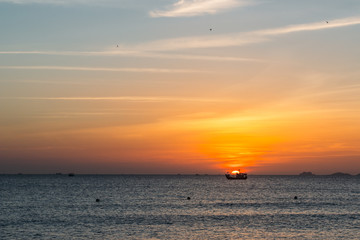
(84, 25)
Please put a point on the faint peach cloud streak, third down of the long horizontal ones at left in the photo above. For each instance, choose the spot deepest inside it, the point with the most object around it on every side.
(122, 98)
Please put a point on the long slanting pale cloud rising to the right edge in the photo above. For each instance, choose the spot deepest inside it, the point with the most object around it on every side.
(240, 39)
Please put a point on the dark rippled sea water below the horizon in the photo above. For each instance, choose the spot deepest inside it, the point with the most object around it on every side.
(156, 207)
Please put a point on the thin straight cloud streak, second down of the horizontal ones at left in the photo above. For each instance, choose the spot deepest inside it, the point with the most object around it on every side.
(137, 70)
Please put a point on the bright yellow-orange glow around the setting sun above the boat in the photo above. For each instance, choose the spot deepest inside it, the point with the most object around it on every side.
(236, 143)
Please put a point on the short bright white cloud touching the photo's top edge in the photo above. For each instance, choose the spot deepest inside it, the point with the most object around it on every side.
(188, 8)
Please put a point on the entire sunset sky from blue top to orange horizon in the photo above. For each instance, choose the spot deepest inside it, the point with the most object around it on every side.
(179, 86)
